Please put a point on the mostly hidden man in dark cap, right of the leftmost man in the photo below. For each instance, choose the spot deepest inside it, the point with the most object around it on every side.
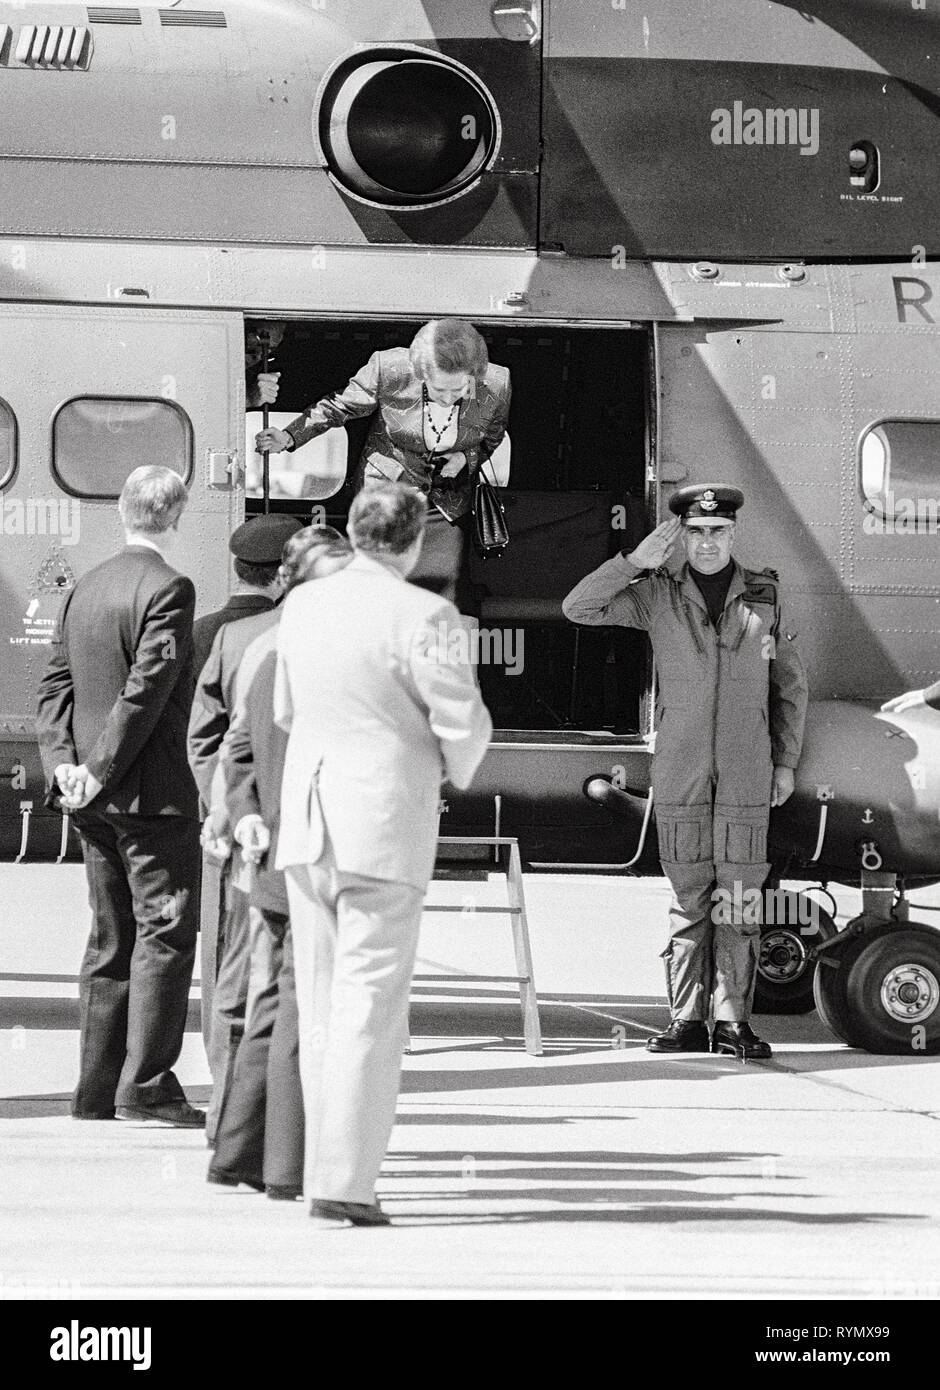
(257, 546)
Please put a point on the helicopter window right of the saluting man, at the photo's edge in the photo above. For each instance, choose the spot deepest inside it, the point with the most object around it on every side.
(900, 471)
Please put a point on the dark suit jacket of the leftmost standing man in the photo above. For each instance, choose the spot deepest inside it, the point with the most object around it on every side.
(117, 689)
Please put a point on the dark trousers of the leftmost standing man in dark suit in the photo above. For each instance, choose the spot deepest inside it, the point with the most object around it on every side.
(134, 985)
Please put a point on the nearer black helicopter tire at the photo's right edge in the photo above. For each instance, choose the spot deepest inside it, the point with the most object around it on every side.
(893, 993)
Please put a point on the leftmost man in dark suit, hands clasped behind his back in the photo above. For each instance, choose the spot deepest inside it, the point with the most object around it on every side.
(112, 726)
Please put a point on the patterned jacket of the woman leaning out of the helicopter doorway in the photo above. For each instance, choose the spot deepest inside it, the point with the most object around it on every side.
(396, 447)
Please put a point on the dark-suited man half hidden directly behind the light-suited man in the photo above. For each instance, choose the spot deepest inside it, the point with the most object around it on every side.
(259, 1139)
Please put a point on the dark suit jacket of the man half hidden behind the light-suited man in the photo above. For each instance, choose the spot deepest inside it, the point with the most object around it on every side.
(251, 761)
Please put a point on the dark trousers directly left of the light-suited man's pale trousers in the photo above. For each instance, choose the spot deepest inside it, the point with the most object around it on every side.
(261, 1131)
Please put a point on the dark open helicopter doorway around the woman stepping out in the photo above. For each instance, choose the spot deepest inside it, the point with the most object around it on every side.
(574, 473)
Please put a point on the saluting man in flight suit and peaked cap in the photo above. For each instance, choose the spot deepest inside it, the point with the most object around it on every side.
(731, 710)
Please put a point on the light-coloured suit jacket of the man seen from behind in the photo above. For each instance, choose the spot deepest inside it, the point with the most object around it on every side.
(379, 696)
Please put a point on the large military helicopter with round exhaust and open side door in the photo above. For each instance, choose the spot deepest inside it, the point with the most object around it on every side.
(700, 243)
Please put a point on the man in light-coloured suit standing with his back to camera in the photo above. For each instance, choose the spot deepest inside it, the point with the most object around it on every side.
(382, 705)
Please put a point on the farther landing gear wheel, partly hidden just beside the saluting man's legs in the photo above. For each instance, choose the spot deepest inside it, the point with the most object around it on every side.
(785, 982)
